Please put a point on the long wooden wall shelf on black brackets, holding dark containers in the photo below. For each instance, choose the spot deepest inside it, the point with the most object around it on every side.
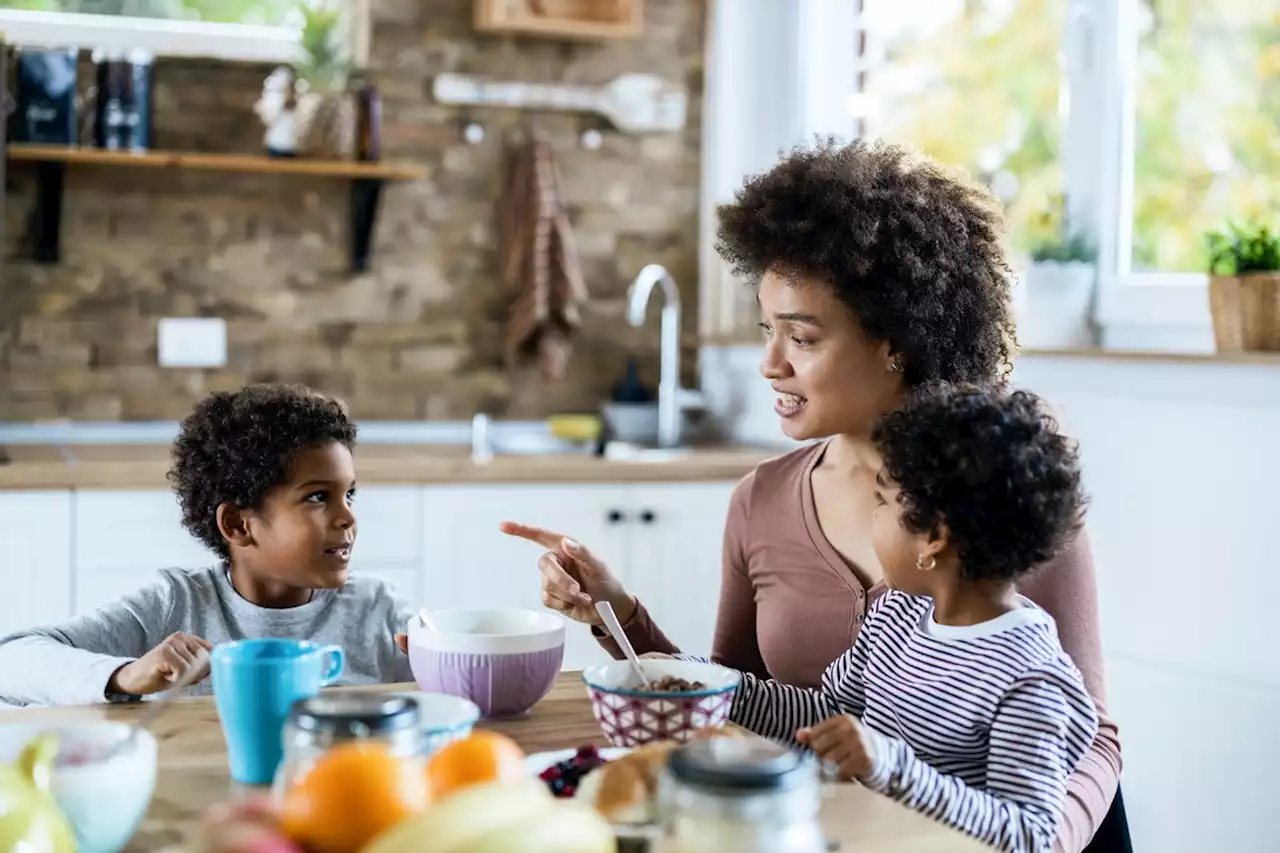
(367, 184)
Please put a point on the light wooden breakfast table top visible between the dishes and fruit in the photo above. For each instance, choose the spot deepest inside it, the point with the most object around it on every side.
(193, 773)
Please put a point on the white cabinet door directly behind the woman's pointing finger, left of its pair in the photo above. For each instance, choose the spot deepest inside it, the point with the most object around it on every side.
(470, 564)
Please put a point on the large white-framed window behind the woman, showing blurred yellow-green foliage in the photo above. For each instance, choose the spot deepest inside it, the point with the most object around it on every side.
(1153, 121)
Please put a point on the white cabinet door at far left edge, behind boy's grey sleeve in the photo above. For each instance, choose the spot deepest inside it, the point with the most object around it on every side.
(38, 558)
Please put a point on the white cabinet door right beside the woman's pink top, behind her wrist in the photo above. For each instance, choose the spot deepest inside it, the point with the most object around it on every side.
(675, 537)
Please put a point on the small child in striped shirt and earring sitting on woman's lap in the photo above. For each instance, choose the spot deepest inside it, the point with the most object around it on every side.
(957, 699)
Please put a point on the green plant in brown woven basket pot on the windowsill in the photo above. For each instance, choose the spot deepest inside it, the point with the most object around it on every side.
(1245, 289)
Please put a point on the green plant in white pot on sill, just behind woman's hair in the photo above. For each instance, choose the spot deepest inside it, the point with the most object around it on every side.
(1059, 288)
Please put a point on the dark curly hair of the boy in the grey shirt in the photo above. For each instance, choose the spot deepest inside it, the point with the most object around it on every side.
(235, 448)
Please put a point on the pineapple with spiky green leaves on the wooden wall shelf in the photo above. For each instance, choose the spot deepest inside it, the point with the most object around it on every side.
(324, 121)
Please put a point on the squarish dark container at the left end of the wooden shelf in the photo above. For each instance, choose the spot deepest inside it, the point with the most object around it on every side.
(45, 97)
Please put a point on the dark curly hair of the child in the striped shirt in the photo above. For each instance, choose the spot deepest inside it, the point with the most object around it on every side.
(993, 467)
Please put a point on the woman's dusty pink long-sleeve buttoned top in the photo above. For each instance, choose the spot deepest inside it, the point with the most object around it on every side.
(790, 605)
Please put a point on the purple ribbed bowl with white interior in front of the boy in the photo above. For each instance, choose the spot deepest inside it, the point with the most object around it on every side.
(505, 662)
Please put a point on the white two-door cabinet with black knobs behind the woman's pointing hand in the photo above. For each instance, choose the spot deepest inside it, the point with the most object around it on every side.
(664, 541)
